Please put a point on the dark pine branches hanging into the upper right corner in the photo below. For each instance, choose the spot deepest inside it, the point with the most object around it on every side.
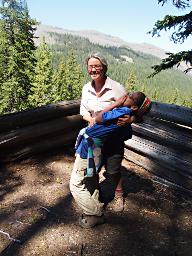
(182, 26)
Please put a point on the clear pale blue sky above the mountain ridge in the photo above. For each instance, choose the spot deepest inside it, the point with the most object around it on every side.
(127, 19)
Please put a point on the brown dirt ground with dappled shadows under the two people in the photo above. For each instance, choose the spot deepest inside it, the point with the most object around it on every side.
(37, 210)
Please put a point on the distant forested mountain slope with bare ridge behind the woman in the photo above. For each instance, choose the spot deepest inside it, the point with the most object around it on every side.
(123, 60)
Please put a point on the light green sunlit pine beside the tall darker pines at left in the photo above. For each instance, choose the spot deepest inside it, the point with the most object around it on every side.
(42, 93)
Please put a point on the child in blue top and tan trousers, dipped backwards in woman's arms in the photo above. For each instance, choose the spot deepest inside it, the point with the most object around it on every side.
(88, 153)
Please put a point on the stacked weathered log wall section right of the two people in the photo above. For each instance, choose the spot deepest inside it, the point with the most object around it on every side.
(162, 144)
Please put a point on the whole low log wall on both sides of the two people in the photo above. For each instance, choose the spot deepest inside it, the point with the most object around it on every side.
(161, 144)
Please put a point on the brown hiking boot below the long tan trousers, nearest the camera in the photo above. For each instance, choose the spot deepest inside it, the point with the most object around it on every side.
(90, 221)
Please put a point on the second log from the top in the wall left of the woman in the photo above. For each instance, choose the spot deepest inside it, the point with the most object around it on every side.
(36, 131)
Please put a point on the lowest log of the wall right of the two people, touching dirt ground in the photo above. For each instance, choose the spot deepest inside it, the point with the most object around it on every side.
(159, 168)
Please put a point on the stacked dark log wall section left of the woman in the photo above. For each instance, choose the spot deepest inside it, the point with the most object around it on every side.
(46, 128)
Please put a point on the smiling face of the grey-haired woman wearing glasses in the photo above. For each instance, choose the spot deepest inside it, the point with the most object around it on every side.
(95, 69)
